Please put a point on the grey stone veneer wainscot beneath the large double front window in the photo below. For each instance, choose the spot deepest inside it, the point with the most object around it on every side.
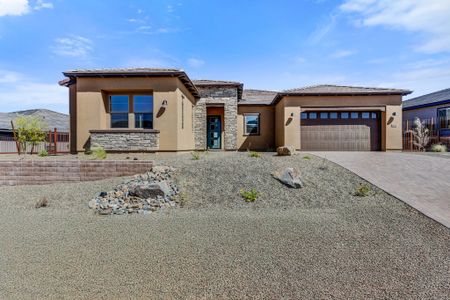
(126, 140)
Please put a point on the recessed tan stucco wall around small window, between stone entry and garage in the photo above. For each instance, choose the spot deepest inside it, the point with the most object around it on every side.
(266, 139)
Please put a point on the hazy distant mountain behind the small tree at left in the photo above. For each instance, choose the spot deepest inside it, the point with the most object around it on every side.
(52, 118)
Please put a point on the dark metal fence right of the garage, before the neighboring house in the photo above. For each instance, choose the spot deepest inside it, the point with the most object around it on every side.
(435, 138)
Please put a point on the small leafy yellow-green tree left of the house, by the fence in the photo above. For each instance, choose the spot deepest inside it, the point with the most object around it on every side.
(30, 130)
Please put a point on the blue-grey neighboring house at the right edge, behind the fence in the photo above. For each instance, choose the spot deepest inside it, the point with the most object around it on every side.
(433, 108)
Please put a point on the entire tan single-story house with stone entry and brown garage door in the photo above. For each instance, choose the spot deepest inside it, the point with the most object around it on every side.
(164, 110)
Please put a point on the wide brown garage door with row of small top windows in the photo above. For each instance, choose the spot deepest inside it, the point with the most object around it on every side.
(340, 131)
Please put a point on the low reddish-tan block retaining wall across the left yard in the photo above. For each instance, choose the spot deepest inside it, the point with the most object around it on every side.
(47, 172)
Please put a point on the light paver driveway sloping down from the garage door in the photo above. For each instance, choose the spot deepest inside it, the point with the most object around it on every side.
(422, 181)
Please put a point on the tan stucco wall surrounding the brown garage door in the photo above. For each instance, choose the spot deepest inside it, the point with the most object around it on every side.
(288, 128)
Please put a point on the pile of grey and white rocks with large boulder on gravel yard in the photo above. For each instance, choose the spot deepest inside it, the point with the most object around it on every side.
(145, 193)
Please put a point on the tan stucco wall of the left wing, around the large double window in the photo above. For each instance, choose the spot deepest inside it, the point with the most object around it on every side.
(92, 105)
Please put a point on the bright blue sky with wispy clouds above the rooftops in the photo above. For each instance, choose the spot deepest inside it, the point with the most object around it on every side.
(266, 44)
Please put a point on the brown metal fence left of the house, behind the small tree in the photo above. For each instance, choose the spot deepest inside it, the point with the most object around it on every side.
(55, 142)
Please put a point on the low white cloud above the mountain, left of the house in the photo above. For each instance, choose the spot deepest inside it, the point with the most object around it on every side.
(18, 91)
